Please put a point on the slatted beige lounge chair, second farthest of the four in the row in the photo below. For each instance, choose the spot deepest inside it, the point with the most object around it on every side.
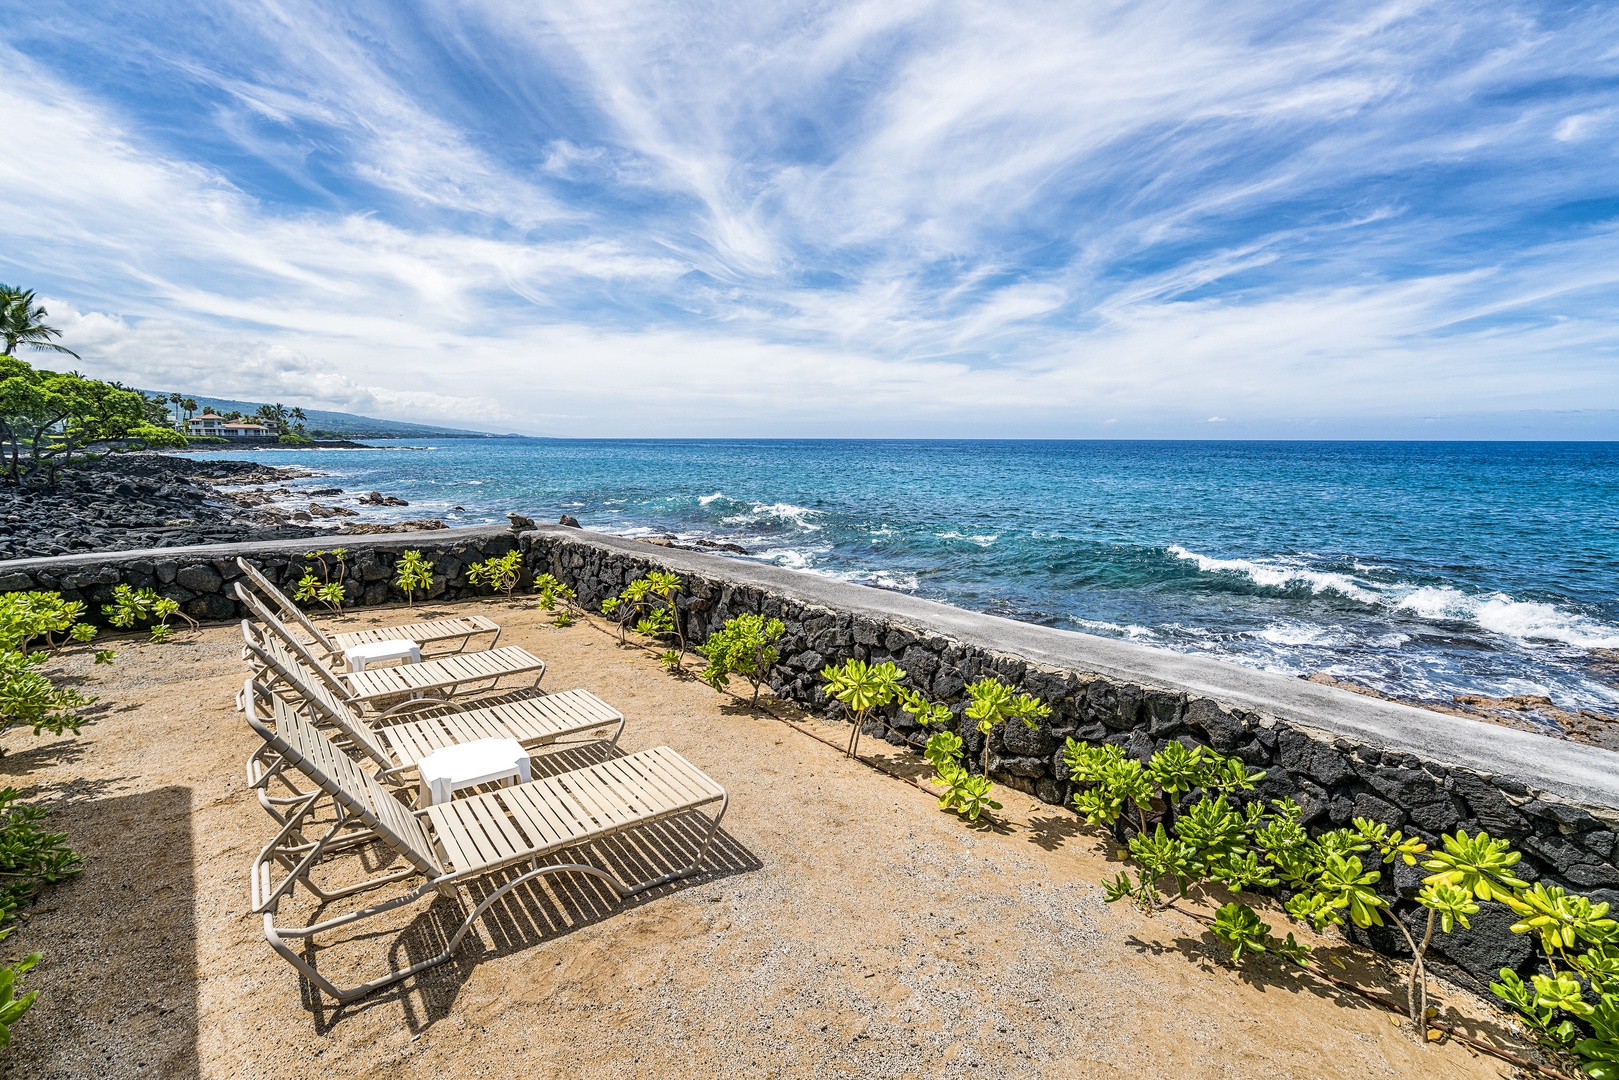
(376, 687)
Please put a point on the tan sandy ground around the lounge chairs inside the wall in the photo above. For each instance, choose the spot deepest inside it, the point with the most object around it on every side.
(849, 929)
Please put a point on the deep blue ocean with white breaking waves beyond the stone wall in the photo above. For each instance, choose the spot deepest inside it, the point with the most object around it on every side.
(1424, 569)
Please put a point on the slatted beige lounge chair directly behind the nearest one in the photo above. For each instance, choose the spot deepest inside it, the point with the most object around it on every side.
(401, 741)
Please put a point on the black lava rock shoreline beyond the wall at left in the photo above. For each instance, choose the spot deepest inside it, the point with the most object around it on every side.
(174, 501)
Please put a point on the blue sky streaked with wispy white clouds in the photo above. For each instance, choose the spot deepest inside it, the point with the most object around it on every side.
(911, 219)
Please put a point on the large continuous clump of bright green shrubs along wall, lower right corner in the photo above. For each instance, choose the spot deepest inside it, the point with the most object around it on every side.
(1330, 885)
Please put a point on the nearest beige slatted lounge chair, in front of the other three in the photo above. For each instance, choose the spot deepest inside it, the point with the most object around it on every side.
(459, 843)
